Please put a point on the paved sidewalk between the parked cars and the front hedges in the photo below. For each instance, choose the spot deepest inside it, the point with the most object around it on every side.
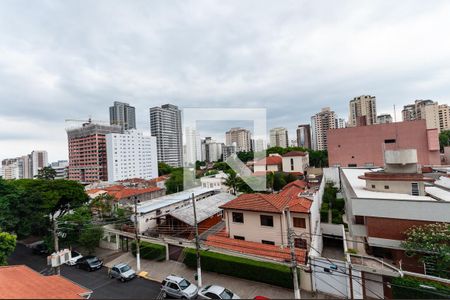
(246, 289)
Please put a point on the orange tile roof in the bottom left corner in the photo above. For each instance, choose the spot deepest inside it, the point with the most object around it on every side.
(21, 282)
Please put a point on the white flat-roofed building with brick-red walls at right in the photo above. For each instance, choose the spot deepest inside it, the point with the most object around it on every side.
(381, 204)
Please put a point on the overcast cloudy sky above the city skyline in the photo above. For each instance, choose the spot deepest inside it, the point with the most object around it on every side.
(72, 59)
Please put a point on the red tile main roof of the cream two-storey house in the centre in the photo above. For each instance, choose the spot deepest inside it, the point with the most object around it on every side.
(275, 203)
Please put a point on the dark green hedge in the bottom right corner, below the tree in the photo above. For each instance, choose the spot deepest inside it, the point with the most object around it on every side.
(409, 288)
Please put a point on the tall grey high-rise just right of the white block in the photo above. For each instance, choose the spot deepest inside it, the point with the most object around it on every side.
(165, 125)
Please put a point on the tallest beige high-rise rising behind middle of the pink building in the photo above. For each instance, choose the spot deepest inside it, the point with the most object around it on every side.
(363, 111)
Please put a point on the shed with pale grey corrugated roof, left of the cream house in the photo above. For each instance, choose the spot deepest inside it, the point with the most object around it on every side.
(180, 222)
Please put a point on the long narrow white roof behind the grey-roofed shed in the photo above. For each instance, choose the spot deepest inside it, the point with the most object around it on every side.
(164, 201)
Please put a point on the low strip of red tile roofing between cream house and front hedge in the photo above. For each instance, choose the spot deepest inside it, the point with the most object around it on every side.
(268, 251)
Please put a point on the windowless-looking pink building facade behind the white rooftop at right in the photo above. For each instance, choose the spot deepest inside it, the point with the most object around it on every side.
(365, 145)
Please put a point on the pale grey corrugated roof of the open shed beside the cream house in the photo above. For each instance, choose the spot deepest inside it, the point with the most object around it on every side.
(205, 208)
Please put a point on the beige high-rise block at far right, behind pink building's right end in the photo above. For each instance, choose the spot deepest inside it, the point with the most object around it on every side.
(425, 110)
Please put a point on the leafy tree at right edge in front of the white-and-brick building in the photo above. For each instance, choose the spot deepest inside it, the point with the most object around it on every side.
(431, 243)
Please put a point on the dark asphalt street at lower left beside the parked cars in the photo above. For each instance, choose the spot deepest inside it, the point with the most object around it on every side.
(98, 281)
